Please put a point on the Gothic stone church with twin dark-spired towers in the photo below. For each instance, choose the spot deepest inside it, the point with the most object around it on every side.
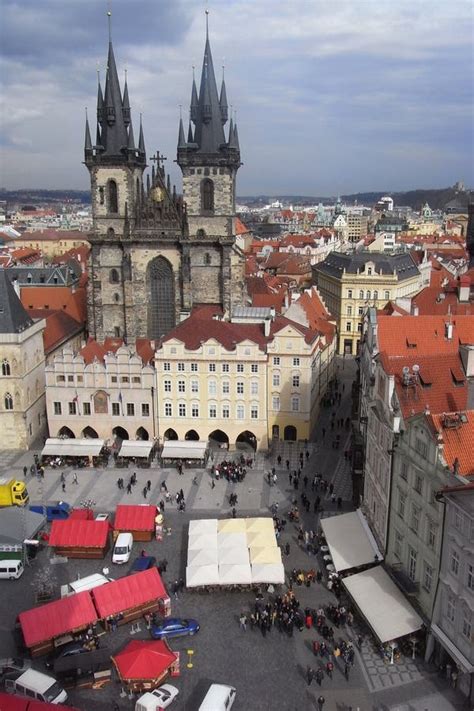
(154, 256)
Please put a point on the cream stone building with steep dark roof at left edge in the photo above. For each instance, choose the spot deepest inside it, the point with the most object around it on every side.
(22, 361)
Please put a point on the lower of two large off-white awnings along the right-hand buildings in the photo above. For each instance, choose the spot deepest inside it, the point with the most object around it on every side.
(383, 605)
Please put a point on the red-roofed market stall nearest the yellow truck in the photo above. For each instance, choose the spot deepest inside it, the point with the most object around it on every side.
(76, 538)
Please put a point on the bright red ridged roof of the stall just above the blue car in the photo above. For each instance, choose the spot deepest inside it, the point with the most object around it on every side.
(128, 592)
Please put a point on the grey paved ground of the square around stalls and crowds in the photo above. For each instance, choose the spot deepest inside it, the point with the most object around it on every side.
(269, 673)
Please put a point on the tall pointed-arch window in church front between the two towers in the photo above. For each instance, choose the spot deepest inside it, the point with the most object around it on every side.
(161, 297)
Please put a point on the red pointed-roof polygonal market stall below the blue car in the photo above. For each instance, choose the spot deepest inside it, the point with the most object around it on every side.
(144, 665)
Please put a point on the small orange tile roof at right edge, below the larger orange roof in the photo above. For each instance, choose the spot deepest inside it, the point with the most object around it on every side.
(458, 440)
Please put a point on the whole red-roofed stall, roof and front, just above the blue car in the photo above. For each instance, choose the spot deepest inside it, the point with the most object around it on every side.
(131, 597)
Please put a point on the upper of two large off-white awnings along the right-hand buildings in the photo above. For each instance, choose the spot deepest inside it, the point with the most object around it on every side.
(350, 540)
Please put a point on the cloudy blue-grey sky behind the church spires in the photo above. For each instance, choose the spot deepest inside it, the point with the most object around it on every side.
(331, 97)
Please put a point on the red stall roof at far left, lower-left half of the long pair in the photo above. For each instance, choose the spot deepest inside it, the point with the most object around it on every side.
(56, 618)
